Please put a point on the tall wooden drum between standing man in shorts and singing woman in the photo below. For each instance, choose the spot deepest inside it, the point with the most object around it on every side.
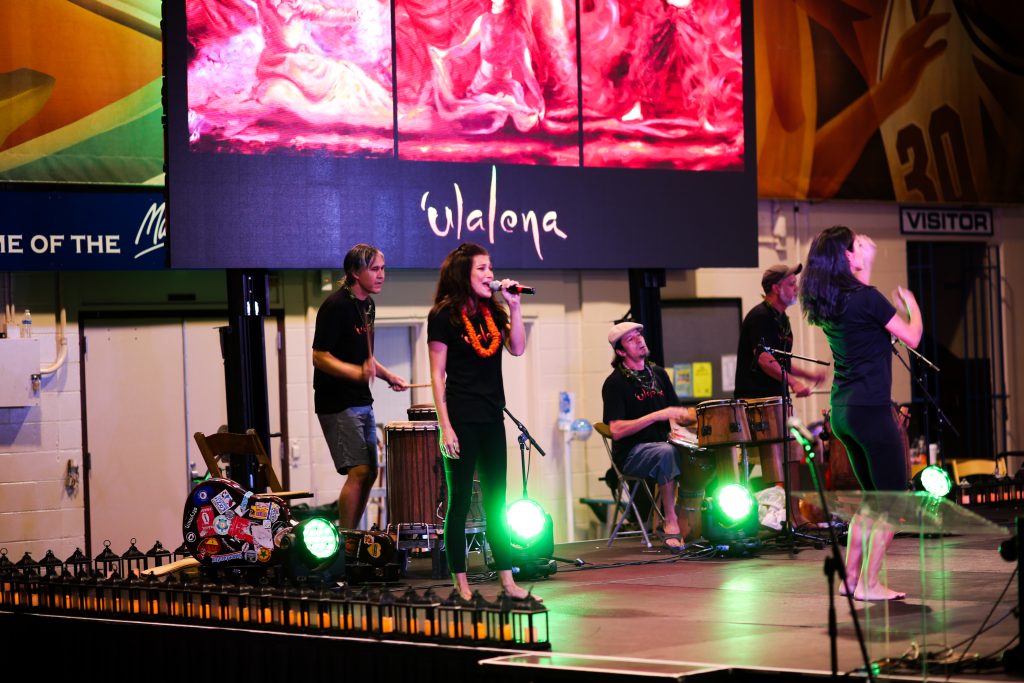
(416, 492)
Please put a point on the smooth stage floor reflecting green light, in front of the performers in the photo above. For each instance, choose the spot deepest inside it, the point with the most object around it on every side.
(771, 611)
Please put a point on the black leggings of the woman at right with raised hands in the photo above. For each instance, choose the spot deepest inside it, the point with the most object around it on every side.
(875, 445)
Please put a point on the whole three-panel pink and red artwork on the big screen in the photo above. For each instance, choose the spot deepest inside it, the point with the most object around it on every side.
(477, 80)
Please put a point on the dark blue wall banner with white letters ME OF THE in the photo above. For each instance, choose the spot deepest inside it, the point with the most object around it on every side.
(121, 230)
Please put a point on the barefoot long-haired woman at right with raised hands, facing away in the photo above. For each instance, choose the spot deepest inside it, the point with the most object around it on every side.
(859, 322)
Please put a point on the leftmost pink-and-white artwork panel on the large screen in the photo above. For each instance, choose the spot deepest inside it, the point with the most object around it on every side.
(291, 75)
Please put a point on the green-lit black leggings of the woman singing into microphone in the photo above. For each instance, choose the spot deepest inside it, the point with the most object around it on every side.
(482, 447)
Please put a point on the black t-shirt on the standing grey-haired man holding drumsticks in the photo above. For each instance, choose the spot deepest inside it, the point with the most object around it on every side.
(342, 331)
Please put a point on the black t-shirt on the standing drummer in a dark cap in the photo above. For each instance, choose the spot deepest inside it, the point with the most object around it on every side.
(763, 322)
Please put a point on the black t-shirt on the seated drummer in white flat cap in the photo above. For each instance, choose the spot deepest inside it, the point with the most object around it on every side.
(626, 399)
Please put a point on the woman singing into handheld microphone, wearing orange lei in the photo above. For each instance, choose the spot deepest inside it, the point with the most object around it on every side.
(465, 332)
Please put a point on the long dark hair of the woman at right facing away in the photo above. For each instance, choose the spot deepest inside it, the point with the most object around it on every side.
(828, 281)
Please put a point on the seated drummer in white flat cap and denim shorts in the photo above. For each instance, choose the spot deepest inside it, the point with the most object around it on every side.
(643, 410)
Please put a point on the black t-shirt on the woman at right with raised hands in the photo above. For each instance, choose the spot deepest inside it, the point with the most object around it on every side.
(862, 350)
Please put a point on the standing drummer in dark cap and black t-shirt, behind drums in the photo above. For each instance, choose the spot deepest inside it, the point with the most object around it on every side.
(759, 374)
